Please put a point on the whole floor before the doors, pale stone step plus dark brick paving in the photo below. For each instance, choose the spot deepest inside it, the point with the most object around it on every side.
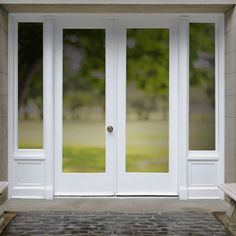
(114, 216)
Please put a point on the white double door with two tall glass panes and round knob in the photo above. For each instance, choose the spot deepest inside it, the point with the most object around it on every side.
(116, 106)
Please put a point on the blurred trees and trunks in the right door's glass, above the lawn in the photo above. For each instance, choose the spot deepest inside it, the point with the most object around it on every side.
(147, 72)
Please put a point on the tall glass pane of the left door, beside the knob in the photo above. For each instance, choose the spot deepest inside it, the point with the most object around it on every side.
(83, 100)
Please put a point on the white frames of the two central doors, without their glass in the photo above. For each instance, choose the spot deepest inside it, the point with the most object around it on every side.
(122, 183)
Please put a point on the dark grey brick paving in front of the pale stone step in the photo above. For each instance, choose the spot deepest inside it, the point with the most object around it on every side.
(77, 223)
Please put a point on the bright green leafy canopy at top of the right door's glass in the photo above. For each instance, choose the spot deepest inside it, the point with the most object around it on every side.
(148, 60)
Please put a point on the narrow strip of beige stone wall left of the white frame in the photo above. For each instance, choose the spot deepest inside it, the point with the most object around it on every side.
(3, 96)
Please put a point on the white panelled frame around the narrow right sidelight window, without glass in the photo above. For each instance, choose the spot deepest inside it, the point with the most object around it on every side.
(205, 169)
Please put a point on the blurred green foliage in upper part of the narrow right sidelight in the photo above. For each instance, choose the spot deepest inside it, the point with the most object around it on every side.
(202, 58)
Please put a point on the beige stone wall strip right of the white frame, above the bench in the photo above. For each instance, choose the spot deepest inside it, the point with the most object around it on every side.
(230, 95)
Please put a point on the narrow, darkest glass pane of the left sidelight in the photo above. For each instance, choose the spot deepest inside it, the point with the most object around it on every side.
(30, 85)
